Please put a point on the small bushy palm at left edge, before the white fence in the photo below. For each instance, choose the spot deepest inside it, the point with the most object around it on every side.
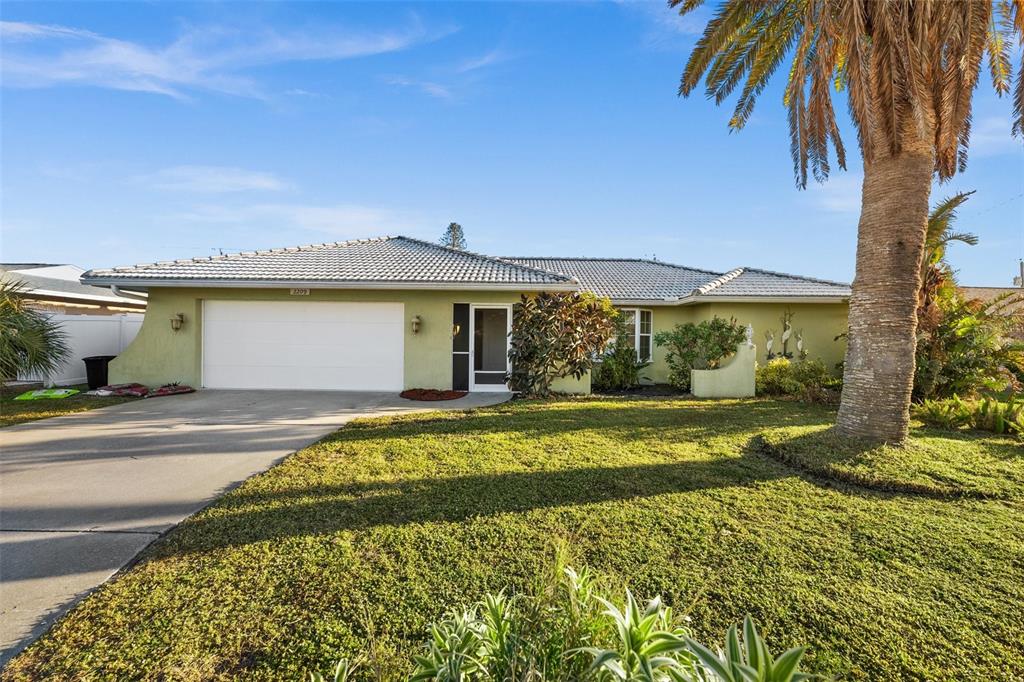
(30, 342)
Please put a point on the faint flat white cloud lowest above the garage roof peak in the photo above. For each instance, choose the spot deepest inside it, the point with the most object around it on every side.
(342, 221)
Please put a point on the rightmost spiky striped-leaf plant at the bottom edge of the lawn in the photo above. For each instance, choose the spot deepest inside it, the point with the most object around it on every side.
(751, 662)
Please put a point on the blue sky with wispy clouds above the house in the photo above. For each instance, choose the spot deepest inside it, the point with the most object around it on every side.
(148, 132)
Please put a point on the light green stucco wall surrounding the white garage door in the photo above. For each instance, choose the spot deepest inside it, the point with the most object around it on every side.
(159, 356)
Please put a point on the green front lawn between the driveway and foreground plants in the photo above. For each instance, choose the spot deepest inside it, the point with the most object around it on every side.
(355, 545)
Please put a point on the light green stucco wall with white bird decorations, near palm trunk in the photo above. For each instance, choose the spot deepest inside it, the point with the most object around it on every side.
(821, 323)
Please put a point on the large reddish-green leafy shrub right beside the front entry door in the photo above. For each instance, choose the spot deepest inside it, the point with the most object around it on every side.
(558, 335)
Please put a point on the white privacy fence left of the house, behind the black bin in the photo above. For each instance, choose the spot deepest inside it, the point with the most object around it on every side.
(91, 335)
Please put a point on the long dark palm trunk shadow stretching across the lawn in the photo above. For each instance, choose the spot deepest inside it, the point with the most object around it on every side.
(245, 518)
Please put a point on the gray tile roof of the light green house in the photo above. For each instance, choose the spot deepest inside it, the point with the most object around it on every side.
(405, 262)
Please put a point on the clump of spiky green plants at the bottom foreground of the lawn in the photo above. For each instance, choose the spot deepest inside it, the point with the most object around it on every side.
(566, 631)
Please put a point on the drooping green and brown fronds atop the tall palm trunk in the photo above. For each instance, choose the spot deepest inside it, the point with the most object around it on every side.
(909, 69)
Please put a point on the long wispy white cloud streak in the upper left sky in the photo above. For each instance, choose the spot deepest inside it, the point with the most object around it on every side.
(202, 59)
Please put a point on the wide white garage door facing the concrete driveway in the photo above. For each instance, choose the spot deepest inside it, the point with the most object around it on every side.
(305, 346)
